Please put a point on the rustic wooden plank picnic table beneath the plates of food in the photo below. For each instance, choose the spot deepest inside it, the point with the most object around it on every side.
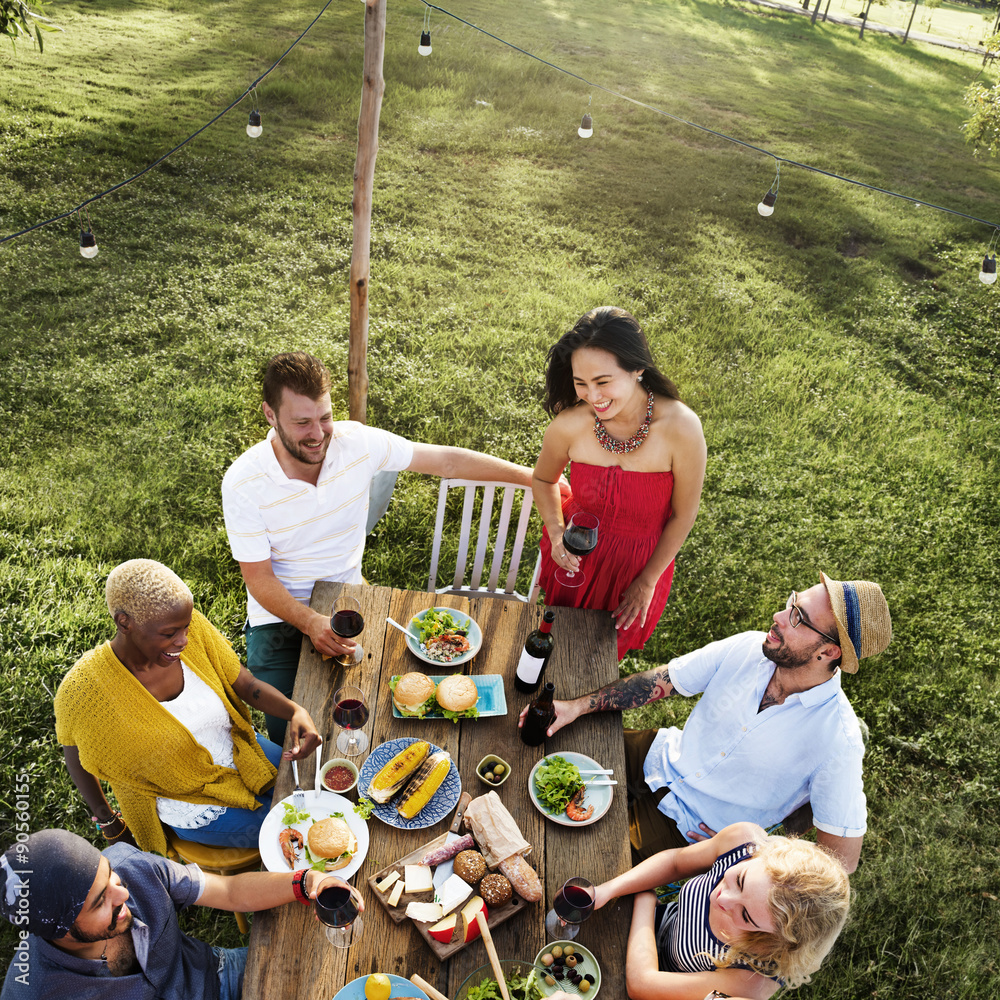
(289, 954)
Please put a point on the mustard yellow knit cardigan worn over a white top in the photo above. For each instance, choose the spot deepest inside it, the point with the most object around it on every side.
(127, 738)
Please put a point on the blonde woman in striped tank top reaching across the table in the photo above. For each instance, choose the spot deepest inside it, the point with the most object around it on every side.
(755, 913)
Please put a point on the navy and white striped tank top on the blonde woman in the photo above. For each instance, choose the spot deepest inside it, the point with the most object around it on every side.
(684, 941)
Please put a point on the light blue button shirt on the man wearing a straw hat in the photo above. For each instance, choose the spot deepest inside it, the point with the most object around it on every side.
(732, 762)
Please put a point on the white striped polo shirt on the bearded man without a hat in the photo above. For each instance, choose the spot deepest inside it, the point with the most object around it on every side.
(308, 532)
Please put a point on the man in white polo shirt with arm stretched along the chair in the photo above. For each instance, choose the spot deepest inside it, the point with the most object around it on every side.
(296, 508)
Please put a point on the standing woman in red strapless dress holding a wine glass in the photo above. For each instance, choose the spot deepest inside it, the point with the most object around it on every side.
(637, 461)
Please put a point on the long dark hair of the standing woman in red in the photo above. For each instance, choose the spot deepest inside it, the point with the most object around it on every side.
(608, 329)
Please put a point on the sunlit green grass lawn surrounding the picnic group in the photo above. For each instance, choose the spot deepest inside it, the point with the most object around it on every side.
(842, 355)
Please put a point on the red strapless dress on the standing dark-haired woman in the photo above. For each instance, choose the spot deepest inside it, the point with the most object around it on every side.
(633, 508)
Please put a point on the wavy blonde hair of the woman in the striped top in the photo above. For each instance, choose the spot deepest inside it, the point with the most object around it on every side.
(809, 899)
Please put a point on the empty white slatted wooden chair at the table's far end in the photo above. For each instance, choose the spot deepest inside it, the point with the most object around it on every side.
(500, 550)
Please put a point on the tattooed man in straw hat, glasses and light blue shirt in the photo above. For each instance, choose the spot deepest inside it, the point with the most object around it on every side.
(773, 732)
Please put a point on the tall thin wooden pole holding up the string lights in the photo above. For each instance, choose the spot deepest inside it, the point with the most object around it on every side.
(373, 87)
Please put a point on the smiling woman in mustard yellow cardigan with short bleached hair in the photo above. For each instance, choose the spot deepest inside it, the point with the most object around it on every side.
(159, 712)
